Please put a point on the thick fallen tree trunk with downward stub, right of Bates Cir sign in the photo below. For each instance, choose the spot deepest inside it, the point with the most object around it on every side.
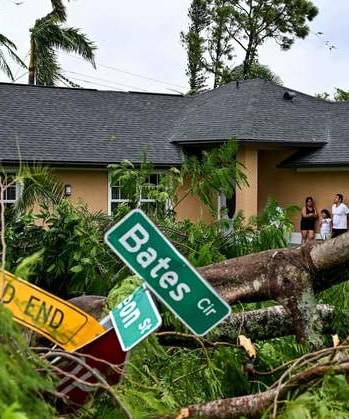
(289, 276)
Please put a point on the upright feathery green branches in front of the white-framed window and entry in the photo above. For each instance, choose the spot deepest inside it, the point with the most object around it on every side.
(215, 171)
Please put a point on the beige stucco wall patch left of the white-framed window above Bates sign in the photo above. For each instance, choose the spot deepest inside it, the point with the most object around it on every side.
(88, 186)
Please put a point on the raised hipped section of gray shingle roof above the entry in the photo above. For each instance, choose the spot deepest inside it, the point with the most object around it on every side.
(254, 110)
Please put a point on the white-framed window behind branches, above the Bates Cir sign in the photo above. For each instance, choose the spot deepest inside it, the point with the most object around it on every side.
(147, 203)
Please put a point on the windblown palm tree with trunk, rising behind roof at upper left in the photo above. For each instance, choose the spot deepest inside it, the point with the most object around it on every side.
(46, 37)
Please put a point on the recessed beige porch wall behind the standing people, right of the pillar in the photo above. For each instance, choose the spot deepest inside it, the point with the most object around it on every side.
(290, 186)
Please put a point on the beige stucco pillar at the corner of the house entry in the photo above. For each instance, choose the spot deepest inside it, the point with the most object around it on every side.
(247, 196)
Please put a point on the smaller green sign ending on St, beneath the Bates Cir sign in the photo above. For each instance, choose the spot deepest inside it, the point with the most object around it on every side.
(135, 318)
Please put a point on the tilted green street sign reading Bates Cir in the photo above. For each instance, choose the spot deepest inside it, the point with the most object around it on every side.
(139, 243)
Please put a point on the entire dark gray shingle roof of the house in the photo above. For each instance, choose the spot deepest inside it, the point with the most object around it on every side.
(90, 127)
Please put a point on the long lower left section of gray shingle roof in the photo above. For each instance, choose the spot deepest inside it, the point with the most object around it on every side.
(59, 125)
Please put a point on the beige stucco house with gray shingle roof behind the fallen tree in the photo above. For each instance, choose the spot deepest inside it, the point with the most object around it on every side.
(292, 144)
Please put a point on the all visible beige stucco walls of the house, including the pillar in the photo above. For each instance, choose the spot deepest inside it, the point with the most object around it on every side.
(288, 186)
